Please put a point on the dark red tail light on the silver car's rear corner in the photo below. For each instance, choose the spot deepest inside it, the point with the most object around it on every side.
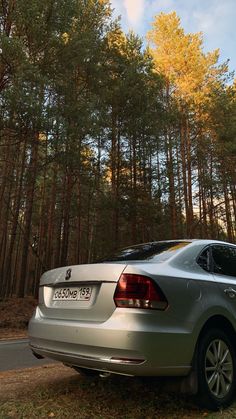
(138, 291)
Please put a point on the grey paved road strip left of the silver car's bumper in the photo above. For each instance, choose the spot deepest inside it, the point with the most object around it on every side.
(17, 354)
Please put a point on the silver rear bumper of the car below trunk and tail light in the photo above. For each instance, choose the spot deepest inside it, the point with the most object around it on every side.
(121, 345)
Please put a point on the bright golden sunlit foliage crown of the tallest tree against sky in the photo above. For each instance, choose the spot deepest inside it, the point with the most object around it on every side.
(180, 57)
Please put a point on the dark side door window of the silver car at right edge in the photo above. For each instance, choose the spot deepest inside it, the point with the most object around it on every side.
(224, 260)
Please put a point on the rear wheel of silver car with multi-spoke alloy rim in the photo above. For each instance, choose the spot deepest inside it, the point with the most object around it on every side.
(216, 367)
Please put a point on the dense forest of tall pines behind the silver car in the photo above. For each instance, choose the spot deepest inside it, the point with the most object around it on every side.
(104, 142)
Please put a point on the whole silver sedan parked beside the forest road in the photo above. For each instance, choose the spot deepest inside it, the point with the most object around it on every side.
(156, 309)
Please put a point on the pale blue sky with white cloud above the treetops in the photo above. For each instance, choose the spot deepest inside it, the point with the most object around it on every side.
(215, 18)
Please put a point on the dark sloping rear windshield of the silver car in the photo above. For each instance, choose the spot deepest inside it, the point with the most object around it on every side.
(154, 251)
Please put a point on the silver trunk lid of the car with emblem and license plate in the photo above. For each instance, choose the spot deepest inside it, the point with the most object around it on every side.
(80, 292)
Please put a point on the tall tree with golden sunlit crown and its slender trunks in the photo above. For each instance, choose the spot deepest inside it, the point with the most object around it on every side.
(191, 75)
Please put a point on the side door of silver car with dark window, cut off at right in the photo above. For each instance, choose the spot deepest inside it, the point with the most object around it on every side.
(224, 271)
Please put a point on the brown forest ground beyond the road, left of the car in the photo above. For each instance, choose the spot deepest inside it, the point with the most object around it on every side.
(14, 316)
